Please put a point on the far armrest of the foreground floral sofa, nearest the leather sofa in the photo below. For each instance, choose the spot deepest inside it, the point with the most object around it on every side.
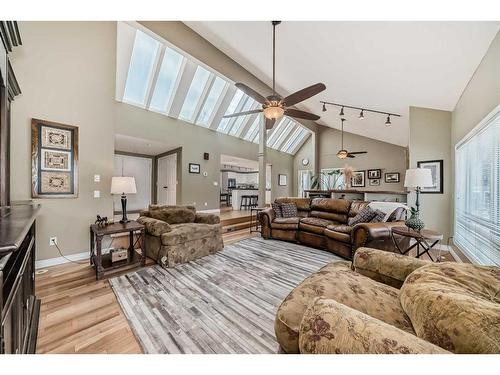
(386, 267)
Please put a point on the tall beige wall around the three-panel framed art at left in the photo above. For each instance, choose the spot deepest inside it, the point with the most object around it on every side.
(66, 72)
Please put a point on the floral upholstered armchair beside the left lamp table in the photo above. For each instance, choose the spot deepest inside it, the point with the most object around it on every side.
(178, 234)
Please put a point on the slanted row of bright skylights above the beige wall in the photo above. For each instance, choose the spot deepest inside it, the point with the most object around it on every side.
(163, 79)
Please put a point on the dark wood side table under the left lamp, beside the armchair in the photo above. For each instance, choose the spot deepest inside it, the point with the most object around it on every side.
(102, 262)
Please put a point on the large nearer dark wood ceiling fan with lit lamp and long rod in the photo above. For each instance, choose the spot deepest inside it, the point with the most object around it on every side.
(275, 106)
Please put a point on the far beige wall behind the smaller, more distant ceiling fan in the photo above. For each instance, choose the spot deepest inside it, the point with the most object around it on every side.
(381, 155)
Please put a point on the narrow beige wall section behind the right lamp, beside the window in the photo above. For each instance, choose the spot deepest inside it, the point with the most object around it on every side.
(430, 132)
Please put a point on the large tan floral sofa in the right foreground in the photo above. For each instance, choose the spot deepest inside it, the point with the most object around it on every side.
(390, 303)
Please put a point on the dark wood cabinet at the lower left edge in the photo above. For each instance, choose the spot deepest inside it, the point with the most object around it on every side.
(19, 307)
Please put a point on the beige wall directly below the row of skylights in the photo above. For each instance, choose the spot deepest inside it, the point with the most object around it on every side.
(195, 140)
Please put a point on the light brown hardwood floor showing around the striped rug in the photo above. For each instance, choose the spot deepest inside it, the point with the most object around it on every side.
(81, 315)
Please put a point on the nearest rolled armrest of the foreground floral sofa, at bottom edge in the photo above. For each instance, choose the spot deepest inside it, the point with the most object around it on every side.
(329, 327)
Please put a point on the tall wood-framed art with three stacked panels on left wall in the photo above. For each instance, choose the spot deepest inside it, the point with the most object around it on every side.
(54, 160)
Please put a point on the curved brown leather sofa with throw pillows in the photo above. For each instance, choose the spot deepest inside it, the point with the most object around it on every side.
(322, 223)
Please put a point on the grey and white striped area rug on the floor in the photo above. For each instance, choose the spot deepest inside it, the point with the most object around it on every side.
(222, 303)
